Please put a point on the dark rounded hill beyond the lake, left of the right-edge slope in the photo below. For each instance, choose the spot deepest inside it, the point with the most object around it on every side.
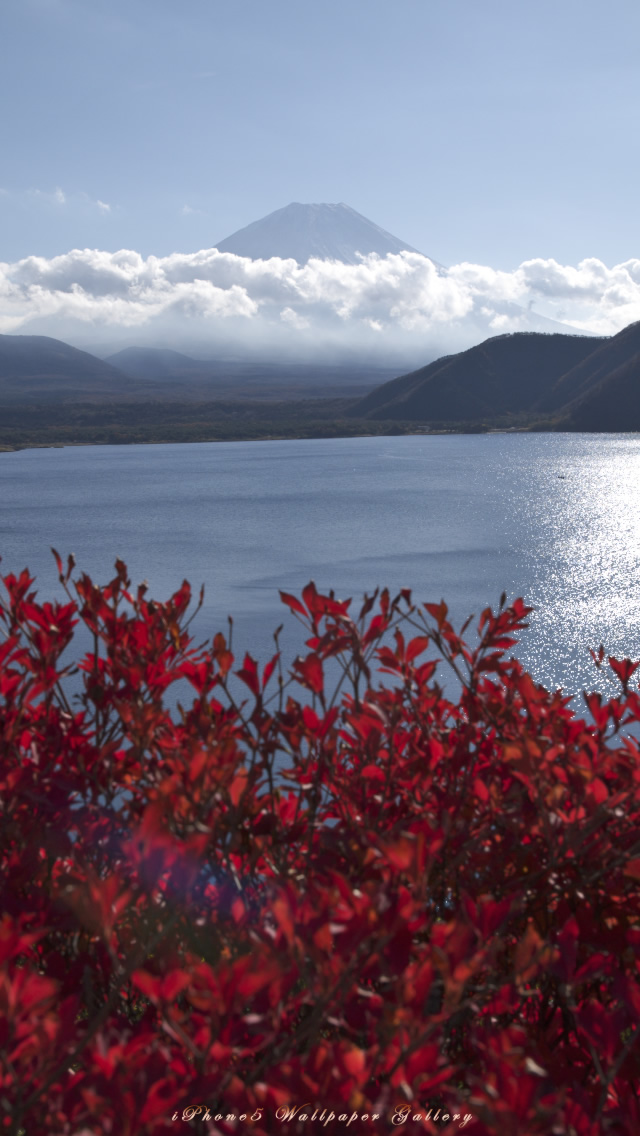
(508, 374)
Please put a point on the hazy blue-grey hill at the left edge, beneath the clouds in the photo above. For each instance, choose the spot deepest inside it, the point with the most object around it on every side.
(39, 367)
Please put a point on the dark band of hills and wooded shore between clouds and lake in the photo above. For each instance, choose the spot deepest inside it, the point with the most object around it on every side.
(525, 380)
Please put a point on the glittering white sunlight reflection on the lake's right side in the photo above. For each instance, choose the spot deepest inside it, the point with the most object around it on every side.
(588, 537)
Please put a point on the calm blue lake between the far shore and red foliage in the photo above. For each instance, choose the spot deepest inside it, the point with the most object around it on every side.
(552, 517)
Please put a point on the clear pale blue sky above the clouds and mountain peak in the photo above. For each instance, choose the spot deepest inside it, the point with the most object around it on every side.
(489, 132)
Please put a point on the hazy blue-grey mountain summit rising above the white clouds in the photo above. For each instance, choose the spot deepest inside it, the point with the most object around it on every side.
(300, 232)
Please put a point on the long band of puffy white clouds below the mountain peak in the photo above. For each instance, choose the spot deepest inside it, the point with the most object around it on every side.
(401, 302)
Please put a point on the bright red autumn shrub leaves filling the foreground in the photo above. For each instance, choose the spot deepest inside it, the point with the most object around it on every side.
(342, 887)
